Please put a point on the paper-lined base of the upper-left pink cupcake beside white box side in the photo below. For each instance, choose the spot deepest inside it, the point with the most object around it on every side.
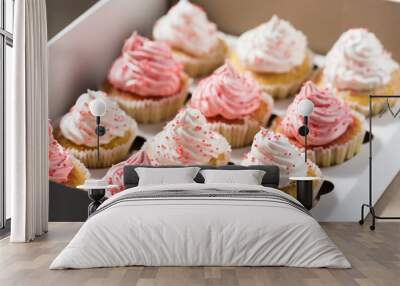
(152, 111)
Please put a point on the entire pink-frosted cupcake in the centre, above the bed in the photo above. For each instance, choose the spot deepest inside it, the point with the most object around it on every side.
(233, 105)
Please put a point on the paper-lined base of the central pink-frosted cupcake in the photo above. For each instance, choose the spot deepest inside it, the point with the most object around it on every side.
(242, 134)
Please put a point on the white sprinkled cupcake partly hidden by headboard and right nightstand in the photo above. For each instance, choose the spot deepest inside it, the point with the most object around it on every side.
(269, 148)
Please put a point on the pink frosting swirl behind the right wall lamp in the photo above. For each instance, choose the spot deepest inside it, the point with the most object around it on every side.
(328, 121)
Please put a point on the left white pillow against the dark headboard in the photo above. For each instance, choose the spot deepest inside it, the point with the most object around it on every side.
(164, 176)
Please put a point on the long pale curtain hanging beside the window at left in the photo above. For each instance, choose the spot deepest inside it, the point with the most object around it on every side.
(26, 124)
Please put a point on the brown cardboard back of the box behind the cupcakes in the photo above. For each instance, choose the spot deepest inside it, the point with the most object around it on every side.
(323, 21)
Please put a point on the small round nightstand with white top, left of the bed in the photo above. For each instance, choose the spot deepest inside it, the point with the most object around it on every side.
(96, 192)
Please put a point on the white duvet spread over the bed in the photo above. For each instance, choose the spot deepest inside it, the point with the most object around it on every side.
(200, 231)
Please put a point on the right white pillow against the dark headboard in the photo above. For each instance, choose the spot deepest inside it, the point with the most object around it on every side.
(248, 177)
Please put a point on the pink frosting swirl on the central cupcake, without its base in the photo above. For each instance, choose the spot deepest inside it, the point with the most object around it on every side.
(227, 93)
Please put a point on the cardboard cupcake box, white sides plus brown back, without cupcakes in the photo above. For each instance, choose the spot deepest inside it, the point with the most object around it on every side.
(82, 53)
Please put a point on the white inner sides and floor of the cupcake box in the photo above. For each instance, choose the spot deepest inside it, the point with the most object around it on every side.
(81, 54)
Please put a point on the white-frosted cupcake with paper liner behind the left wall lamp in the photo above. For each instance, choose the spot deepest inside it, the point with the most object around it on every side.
(77, 132)
